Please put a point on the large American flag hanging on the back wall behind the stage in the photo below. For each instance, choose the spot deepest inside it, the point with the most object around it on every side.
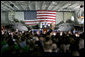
(34, 17)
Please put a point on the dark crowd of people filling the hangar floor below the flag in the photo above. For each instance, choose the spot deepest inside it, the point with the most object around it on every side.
(37, 43)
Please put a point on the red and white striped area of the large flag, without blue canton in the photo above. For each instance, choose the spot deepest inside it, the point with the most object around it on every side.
(43, 16)
